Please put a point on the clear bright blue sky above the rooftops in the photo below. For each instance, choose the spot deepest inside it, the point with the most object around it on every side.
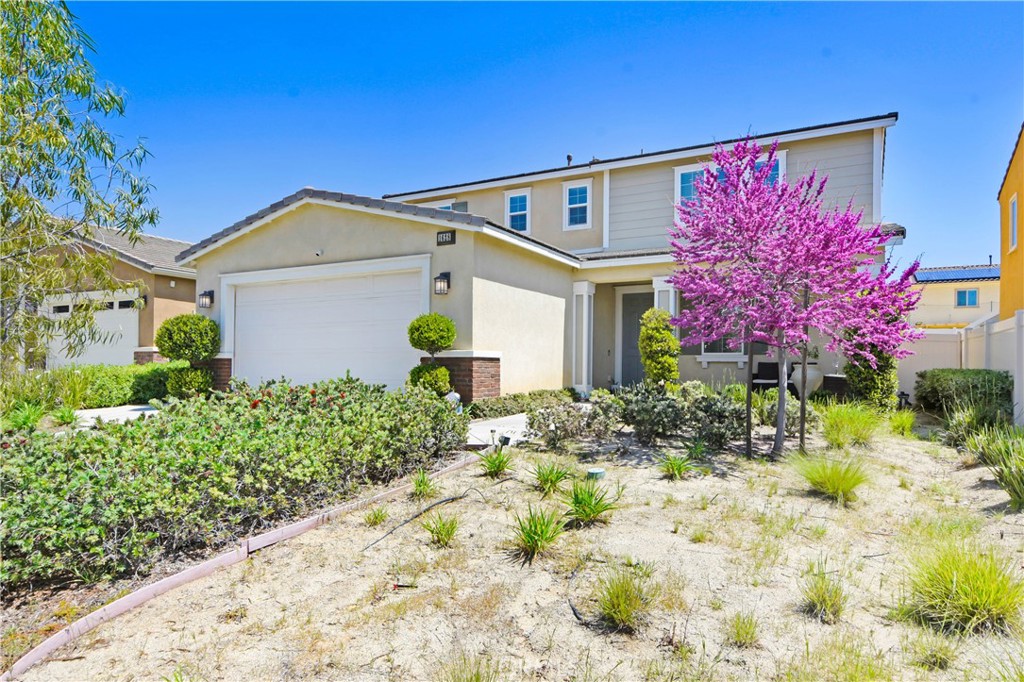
(242, 104)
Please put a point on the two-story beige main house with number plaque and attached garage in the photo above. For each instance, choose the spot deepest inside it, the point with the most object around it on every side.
(545, 274)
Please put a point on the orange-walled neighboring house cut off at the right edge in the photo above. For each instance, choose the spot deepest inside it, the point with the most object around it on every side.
(1011, 216)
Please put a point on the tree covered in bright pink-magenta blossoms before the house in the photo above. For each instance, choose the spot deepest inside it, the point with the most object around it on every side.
(760, 260)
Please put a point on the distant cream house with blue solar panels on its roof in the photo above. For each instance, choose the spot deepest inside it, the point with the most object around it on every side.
(955, 296)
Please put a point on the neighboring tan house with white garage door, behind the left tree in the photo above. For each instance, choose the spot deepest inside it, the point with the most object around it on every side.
(165, 287)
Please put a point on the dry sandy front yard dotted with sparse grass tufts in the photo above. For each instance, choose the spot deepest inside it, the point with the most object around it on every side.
(738, 541)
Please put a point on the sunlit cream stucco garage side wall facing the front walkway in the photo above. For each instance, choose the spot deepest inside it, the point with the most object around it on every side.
(523, 309)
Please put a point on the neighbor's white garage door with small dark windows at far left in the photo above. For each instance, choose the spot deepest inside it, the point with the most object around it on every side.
(118, 324)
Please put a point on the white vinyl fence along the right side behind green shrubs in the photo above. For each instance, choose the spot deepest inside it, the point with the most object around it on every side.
(987, 345)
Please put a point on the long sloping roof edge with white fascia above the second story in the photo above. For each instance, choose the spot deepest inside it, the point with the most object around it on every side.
(651, 157)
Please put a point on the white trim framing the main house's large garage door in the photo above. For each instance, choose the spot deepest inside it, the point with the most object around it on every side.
(420, 264)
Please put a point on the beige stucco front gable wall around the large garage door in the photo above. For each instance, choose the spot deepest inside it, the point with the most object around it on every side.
(293, 239)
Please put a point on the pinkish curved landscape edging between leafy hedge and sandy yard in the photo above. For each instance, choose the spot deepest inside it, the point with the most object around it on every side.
(239, 553)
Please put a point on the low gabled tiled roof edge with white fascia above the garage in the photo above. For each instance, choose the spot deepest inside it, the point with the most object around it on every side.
(437, 217)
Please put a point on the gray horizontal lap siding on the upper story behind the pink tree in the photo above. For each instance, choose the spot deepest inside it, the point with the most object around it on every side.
(644, 197)
